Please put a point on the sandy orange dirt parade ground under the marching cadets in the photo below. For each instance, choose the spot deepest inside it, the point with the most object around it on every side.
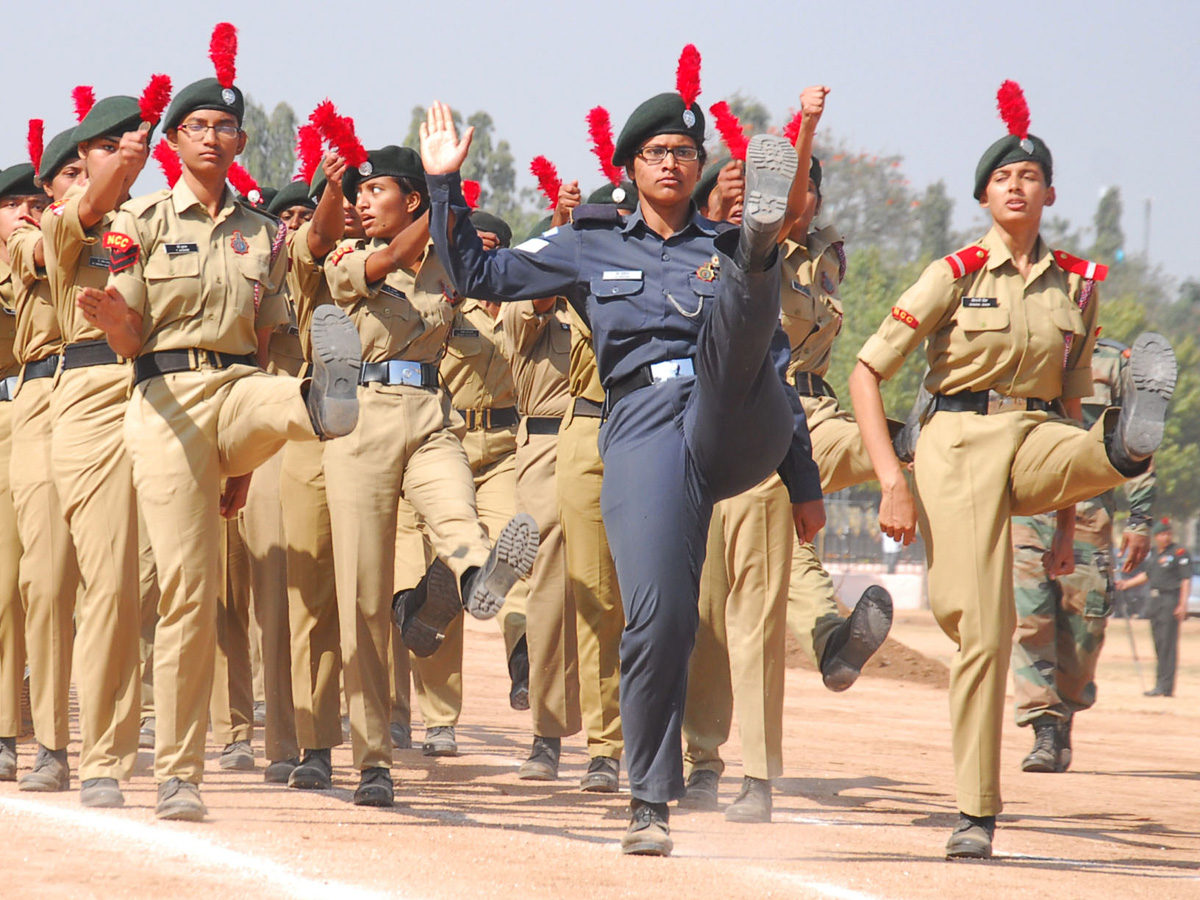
(863, 811)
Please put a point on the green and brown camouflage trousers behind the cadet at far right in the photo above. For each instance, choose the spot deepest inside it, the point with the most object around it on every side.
(1061, 622)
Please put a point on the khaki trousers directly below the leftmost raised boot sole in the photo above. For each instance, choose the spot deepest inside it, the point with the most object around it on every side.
(313, 599)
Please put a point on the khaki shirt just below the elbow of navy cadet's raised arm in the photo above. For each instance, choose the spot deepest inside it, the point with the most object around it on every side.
(475, 370)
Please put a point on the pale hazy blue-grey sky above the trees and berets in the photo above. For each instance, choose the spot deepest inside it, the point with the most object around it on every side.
(1113, 87)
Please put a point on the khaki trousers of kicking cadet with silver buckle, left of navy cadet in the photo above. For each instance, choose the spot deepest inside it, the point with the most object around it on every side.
(403, 447)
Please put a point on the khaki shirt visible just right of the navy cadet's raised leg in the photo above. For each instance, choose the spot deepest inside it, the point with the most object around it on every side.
(812, 308)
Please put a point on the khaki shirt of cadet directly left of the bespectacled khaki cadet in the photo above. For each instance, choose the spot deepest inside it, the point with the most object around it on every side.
(75, 260)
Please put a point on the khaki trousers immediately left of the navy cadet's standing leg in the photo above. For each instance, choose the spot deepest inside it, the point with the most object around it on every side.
(601, 617)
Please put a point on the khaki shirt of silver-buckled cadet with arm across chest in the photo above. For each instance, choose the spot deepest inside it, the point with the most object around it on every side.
(406, 316)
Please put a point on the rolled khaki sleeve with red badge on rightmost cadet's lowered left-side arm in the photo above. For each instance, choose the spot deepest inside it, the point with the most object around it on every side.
(920, 311)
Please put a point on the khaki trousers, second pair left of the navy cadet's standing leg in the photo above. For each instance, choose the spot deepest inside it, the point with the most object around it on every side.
(550, 614)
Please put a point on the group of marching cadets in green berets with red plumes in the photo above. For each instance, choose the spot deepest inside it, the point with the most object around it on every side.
(614, 439)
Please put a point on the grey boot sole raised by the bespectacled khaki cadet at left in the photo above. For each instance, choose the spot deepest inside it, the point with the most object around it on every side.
(337, 365)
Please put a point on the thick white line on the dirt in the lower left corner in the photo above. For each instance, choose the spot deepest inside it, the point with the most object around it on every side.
(113, 831)
